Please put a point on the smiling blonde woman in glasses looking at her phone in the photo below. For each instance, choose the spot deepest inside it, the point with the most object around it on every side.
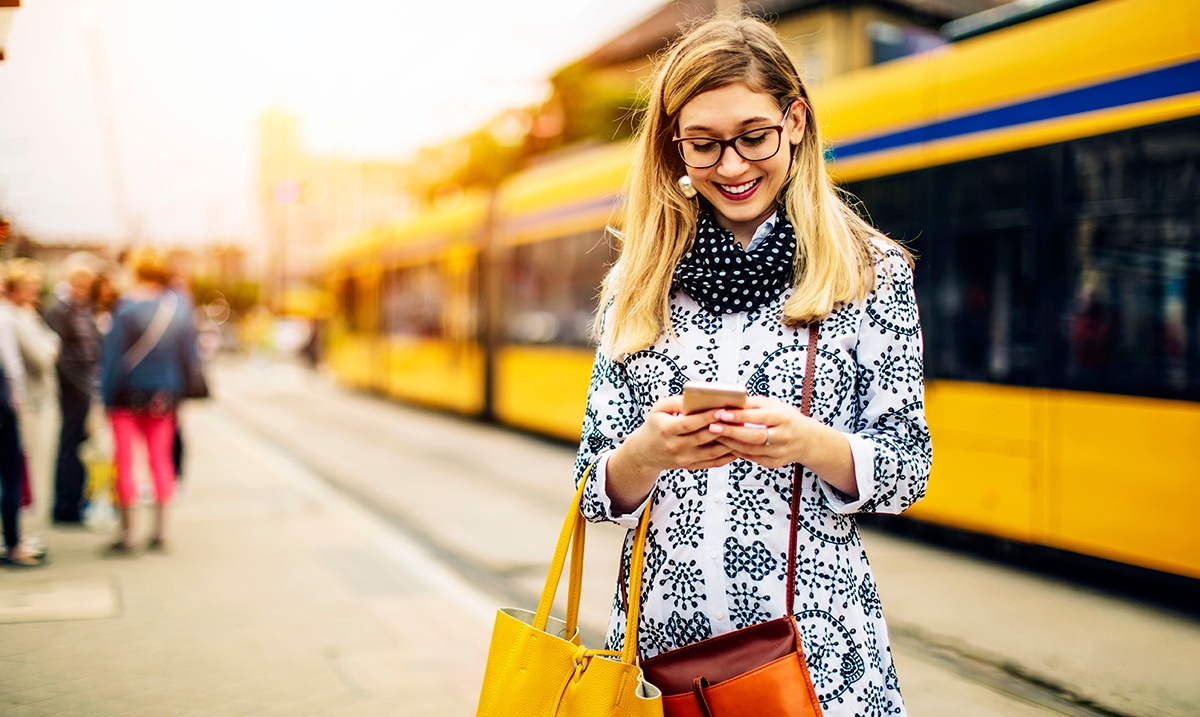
(725, 287)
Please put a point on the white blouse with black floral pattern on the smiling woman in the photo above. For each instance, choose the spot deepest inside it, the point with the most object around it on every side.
(718, 538)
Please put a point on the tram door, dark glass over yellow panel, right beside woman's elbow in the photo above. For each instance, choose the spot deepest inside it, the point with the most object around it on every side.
(988, 425)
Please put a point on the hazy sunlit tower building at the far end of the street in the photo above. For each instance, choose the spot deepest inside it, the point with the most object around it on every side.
(309, 201)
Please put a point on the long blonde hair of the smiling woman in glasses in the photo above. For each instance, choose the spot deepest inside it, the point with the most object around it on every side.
(836, 252)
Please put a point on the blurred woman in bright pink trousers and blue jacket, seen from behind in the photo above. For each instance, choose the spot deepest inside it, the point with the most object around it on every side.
(146, 359)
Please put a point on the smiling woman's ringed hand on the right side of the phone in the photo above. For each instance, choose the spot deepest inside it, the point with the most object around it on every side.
(773, 435)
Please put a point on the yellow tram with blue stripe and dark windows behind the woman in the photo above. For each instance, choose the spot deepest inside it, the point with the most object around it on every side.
(1047, 176)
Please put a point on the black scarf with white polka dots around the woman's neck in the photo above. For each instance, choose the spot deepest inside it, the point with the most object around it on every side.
(724, 279)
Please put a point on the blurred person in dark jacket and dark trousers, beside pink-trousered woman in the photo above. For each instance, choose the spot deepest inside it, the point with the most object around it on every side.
(71, 318)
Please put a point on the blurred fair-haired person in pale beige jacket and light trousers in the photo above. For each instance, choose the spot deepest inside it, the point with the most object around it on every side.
(39, 346)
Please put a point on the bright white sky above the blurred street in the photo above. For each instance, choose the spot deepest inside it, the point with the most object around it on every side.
(189, 79)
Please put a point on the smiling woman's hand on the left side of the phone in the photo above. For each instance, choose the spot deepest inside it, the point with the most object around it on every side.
(668, 439)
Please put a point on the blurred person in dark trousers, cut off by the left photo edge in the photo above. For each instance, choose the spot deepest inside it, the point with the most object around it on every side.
(17, 552)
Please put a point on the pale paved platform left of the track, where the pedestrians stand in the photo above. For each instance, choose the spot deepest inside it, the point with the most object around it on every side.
(279, 598)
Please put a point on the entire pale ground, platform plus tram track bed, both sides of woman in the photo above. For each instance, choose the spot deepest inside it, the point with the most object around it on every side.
(317, 570)
